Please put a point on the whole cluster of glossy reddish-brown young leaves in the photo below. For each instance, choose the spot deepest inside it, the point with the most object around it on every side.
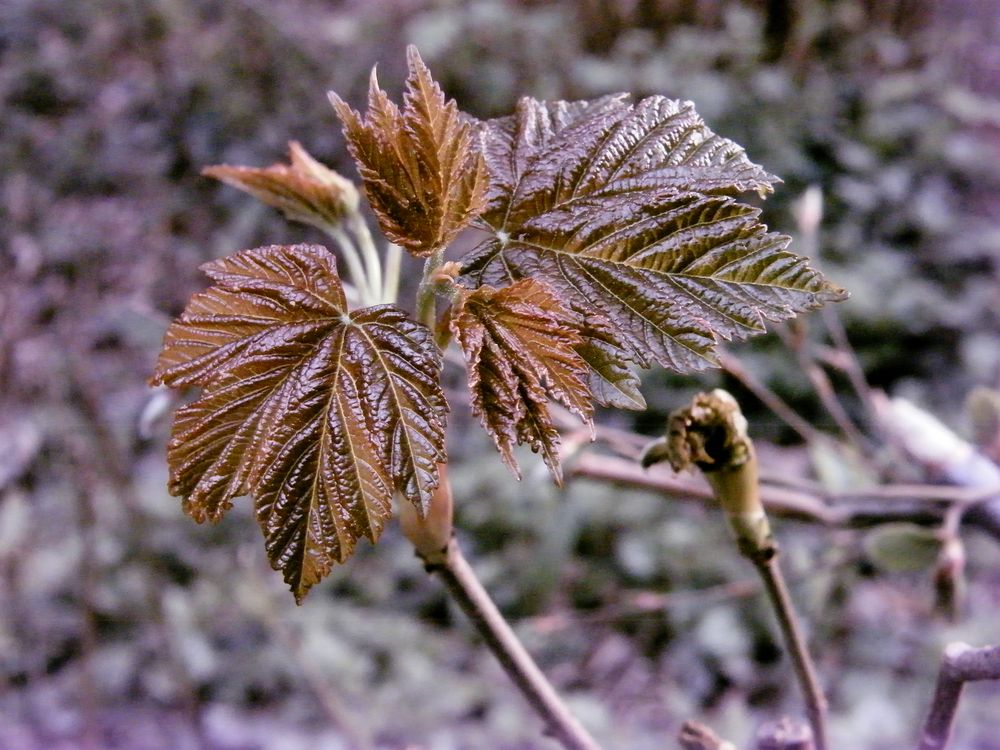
(613, 238)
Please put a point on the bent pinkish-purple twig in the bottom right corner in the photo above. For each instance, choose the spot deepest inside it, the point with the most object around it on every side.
(960, 663)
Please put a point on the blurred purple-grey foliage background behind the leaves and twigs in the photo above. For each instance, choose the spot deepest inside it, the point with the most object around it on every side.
(123, 625)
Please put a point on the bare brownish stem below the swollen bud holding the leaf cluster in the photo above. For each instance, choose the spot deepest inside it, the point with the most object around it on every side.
(464, 586)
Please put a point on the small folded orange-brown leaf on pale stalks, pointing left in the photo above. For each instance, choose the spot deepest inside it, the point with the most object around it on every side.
(305, 190)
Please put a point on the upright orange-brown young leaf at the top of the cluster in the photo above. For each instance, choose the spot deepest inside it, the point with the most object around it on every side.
(422, 172)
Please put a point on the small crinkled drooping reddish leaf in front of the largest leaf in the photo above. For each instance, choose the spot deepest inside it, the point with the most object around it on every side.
(520, 349)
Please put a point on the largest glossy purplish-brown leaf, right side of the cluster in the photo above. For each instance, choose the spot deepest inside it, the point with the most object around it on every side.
(627, 211)
